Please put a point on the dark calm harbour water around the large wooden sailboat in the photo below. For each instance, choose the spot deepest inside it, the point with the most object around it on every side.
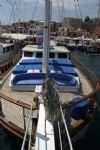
(90, 141)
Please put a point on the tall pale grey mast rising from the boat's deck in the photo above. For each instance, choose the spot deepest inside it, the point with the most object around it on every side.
(46, 37)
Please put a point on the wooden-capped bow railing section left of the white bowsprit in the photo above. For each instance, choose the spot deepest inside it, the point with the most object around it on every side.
(14, 114)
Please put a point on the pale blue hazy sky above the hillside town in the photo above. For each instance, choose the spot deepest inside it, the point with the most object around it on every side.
(14, 10)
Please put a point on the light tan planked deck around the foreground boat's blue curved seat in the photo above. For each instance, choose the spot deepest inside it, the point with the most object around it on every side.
(18, 115)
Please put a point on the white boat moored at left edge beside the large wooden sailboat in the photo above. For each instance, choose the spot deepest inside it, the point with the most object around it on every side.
(8, 50)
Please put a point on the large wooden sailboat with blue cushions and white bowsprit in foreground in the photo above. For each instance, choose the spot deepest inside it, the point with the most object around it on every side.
(65, 95)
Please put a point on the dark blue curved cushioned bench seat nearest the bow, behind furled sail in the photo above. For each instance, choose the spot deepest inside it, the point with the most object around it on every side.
(37, 79)
